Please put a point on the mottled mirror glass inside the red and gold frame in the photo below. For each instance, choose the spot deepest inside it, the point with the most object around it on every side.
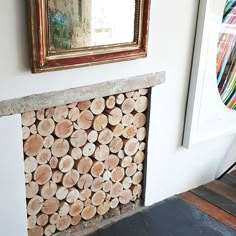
(74, 24)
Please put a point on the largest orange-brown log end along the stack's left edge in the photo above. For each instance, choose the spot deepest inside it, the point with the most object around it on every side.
(33, 145)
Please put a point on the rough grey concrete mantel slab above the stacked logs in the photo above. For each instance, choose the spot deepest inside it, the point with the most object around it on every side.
(51, 99)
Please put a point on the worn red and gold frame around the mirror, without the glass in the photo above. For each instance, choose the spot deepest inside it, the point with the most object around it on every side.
(42, 60)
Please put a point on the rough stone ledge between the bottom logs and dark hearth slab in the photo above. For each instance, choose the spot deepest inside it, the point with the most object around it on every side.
(103, 224)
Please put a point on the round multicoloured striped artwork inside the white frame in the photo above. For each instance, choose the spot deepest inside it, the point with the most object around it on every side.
(226, 56)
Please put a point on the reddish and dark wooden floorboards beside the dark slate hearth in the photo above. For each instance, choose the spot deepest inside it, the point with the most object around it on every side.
(217, 199)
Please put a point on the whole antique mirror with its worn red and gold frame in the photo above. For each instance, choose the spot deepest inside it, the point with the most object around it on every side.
(74, 33)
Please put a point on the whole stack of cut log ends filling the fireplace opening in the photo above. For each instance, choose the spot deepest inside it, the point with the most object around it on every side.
(83, 159)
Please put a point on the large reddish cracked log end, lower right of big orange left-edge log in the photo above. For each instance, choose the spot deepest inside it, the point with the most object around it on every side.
(42, 174)
